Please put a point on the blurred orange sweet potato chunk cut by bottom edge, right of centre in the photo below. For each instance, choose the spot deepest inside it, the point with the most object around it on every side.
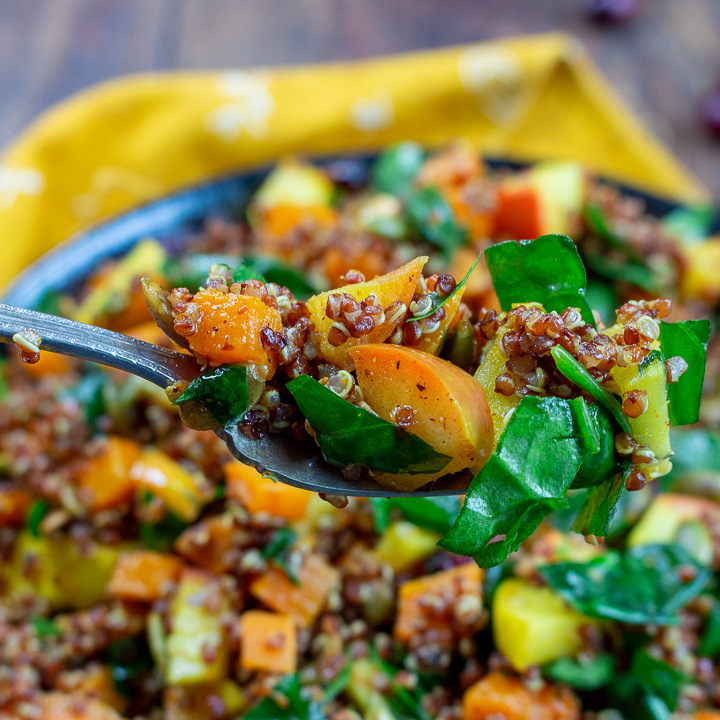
(499, 695)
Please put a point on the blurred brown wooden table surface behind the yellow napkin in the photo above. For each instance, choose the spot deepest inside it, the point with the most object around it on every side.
(663, 63)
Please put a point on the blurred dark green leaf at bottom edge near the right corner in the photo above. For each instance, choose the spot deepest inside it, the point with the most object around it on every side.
(648, 691)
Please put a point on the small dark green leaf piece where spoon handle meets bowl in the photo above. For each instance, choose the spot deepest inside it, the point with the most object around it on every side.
(224, 391)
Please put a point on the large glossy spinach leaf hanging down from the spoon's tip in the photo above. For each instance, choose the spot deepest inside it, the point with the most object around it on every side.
(524, 480)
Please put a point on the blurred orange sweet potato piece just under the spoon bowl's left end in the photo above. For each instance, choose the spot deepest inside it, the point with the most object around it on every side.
(259, 494)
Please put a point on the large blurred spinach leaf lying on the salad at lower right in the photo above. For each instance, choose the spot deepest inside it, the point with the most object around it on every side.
(645, 584)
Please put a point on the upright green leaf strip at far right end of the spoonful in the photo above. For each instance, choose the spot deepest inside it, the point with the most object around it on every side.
(689, 340)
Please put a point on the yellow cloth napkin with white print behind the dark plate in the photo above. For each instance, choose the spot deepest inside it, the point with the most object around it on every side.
(132, 139)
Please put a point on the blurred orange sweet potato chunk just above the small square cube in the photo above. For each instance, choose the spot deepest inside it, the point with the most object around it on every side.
(303, 602)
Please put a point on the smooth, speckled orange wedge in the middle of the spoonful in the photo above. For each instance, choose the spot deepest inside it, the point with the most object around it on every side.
(451, 412)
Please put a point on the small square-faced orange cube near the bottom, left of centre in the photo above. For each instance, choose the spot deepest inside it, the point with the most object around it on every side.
(268, 642)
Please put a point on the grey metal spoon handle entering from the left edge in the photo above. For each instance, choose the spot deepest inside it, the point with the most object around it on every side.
(87, 342)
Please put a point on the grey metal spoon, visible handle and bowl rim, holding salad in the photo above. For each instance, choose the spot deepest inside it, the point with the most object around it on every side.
(277, 456)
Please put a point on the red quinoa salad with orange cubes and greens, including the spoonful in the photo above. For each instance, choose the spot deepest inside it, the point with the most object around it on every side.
(534, 336)
